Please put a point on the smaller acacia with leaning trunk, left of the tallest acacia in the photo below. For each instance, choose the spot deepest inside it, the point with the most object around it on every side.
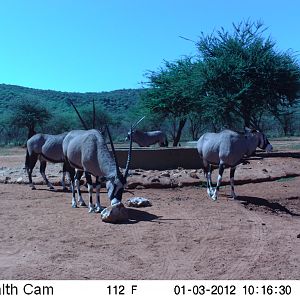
(171, 93)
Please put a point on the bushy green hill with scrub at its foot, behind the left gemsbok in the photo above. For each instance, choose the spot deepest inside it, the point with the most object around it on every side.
(113, 106)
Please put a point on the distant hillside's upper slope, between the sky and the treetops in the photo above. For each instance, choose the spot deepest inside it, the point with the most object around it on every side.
(115, 102)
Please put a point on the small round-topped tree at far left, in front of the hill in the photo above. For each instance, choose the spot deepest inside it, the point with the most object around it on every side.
(29, 115)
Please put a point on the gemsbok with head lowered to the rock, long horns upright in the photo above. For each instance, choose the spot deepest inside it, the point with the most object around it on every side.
(86, 151)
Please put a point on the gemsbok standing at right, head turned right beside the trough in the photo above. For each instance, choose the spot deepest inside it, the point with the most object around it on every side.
(227, 149)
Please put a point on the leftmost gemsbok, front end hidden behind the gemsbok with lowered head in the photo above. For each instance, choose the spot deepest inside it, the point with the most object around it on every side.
(46, 148)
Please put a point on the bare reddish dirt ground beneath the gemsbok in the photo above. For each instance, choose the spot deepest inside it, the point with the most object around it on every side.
(183, 235)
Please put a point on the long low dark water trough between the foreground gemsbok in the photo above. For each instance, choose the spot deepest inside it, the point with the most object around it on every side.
(160, 158)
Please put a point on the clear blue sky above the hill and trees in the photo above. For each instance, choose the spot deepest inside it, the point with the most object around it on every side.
(104, 45)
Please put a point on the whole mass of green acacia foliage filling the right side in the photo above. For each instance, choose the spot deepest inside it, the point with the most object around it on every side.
(238, 79)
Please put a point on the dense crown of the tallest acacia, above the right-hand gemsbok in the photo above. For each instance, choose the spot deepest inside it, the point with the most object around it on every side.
(244, 76)
